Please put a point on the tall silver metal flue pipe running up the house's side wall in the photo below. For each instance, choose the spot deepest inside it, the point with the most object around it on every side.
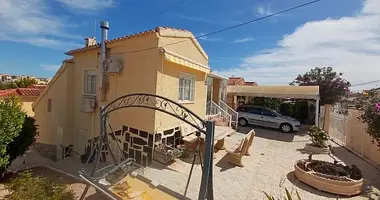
(104, 25)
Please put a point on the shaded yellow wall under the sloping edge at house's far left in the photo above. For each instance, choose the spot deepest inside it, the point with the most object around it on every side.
(49, 121)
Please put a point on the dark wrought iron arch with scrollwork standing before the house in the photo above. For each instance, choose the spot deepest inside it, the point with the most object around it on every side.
(170, 107)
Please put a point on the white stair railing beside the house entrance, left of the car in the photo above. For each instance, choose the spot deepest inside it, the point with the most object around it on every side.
(215, 112)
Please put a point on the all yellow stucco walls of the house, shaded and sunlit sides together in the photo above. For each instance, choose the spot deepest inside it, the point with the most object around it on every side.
(143, 72)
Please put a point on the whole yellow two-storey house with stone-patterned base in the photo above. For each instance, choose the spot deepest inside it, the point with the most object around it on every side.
(67, 112)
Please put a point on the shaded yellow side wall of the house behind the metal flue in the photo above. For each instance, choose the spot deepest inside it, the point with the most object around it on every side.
(137, 76)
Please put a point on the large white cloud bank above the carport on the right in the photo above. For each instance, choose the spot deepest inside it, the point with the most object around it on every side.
(349, 44)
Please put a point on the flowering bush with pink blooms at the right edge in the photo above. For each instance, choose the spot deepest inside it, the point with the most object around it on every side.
(369, 103)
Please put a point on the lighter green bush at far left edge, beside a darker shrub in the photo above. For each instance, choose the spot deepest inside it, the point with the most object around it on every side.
(11, 121)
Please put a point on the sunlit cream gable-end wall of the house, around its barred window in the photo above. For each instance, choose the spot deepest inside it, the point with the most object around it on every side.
(168, 82)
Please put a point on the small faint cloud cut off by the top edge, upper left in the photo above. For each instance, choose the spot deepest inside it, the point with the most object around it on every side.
(87, 4)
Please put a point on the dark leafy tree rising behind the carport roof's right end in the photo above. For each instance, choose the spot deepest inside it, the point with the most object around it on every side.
(331, 84)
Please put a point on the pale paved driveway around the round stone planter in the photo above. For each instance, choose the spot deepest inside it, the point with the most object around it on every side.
(270, 169)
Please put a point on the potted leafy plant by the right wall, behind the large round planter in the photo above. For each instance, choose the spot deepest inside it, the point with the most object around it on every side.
(319, 140)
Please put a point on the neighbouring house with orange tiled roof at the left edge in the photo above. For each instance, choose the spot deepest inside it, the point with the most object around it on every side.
(26, 95)
